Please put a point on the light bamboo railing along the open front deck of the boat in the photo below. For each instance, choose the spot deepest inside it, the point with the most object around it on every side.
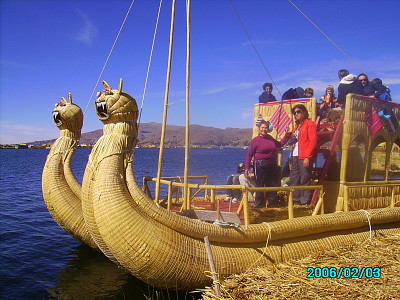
(175, 187)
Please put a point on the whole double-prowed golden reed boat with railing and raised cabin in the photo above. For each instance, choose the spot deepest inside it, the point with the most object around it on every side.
(168, 248)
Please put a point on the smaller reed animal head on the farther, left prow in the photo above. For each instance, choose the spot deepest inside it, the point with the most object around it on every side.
(67, 115)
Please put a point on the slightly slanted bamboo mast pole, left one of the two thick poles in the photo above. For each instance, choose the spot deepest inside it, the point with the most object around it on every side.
(164, 122)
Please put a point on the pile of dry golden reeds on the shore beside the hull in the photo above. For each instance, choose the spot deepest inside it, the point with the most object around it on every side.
(289, 280)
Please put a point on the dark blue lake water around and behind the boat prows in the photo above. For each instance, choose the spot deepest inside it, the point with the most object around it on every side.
(38, 260)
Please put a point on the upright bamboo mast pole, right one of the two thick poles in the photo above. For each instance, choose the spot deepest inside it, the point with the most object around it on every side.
(185, 175)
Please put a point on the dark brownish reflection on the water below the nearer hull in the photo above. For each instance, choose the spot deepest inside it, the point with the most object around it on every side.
(90, 275)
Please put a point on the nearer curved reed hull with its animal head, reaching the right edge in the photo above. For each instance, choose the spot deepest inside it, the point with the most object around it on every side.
(167, 250)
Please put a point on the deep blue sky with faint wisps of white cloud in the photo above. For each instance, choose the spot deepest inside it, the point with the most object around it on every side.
(50, 48)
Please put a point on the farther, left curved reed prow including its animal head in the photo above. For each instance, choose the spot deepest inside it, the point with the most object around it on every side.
(61, 190)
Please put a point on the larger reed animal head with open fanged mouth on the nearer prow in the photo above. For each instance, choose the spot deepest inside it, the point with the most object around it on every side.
(115, 105)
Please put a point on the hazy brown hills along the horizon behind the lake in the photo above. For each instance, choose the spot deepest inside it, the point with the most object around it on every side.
(200, 136)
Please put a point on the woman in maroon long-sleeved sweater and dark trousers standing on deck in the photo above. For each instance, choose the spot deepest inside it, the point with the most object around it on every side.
(263, 150)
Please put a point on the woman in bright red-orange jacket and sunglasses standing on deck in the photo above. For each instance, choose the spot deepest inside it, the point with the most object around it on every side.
(303, 153)
